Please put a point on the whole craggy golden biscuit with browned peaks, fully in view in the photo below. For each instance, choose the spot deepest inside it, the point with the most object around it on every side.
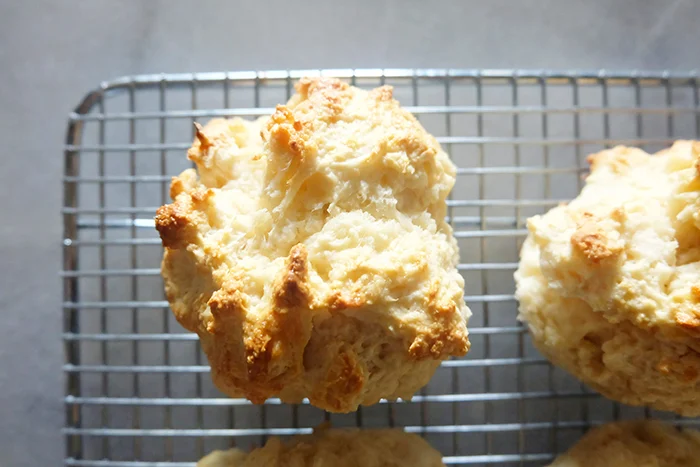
(310, 253)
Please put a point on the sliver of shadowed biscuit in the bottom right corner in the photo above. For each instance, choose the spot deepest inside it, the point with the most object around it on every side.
(643, 443)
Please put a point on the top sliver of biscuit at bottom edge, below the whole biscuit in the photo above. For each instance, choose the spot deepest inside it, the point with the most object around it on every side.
(334, 448)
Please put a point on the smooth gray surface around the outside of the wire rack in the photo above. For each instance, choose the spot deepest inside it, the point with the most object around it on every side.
(51, 53)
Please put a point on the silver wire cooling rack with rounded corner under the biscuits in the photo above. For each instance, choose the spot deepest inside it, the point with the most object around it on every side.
(138, 393)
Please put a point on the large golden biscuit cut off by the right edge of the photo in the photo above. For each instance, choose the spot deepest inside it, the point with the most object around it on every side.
(610, 283)
